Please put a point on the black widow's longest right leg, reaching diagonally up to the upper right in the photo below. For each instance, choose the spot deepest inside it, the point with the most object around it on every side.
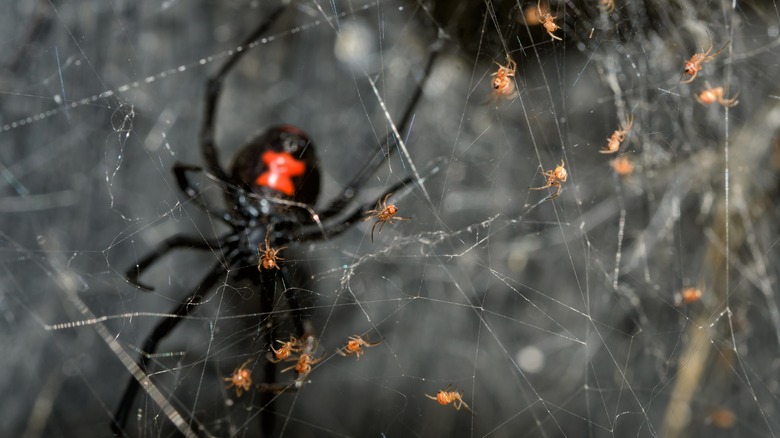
(352, 189)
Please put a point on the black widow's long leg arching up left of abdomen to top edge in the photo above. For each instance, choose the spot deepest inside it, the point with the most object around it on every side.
(213, 89)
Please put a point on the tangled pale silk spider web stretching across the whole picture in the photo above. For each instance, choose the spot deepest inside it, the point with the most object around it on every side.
(555, 317)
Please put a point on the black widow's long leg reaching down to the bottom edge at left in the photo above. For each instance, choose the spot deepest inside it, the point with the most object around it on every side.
(158, 334)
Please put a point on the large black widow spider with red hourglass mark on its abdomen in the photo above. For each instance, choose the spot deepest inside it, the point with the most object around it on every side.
(271, 190)
